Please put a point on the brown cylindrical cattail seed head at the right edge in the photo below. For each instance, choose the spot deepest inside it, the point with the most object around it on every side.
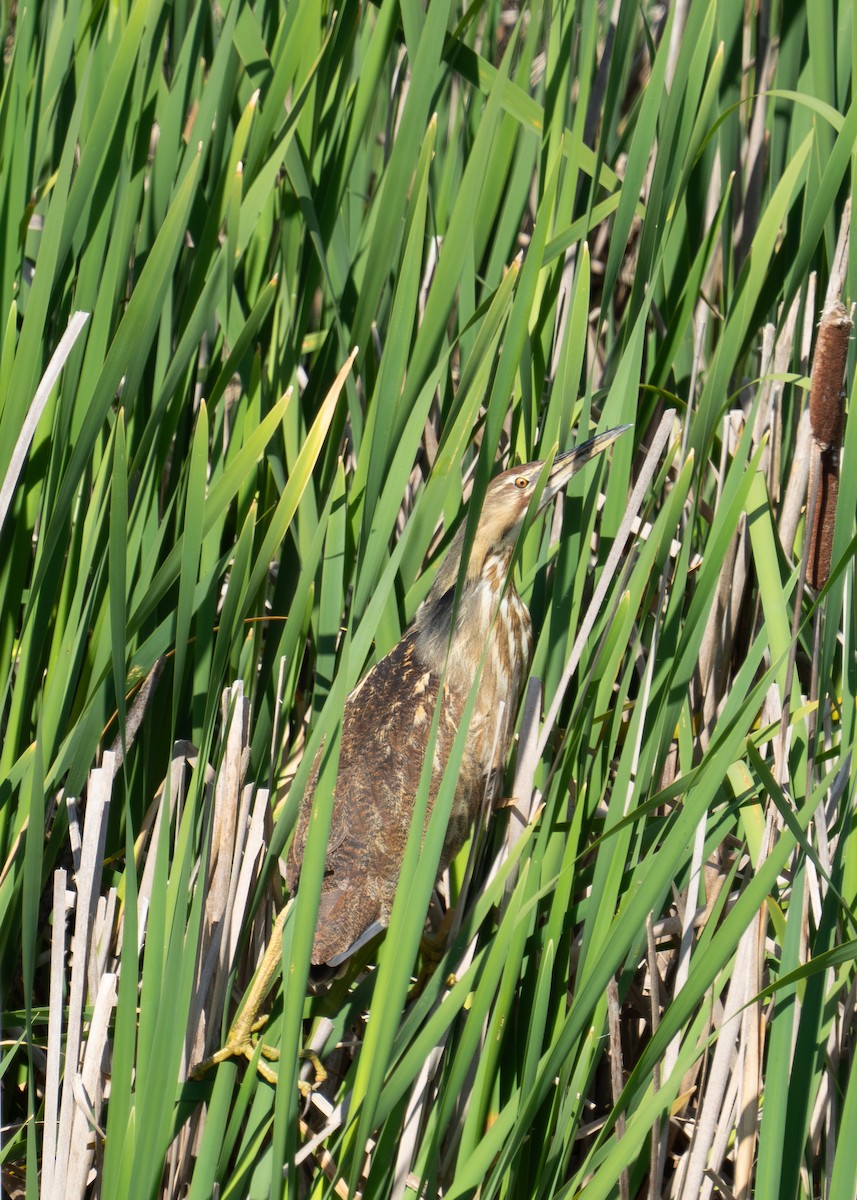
(826, 415)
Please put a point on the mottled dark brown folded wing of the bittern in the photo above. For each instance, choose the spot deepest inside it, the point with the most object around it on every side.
(386, 730)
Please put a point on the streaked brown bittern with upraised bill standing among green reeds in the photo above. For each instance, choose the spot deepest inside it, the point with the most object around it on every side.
(484, 639)
